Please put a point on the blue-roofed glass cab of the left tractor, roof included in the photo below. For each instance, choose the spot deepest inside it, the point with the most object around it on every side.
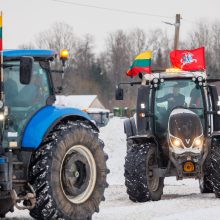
(24, 98)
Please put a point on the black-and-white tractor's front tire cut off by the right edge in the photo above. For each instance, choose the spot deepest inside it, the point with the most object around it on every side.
(215, 167)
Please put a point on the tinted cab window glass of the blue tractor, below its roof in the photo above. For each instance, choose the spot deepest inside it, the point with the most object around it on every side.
(24, 100)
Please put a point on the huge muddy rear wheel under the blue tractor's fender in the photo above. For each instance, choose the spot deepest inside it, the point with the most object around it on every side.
(68, 173)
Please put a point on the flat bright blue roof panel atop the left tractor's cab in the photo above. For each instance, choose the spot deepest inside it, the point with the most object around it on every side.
(37, 54)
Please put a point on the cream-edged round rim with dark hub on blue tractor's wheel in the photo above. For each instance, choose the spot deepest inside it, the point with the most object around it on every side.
(78, 174)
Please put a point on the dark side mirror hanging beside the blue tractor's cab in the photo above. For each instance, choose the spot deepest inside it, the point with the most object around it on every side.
(26, 69)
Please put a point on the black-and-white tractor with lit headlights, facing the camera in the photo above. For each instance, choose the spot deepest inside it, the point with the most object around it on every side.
(175, 132)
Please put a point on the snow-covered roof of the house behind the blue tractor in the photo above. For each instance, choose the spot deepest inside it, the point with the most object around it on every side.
(76, 101)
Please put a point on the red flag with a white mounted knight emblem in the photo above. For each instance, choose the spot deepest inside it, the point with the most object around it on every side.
(188, 59)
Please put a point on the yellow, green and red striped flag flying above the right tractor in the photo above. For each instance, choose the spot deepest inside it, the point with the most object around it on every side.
(141, 64)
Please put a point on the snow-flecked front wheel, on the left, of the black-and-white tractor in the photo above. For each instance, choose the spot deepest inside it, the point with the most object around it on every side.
(142, 185)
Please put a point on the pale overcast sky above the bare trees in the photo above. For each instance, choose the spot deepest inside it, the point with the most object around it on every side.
(23, 19)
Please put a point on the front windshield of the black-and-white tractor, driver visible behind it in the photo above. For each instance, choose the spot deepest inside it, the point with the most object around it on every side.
(173, 93)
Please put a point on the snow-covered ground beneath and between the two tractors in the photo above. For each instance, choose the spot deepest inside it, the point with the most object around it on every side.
(181, 200)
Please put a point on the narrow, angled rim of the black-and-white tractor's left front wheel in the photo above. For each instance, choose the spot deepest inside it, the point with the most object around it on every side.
(153, 181)
